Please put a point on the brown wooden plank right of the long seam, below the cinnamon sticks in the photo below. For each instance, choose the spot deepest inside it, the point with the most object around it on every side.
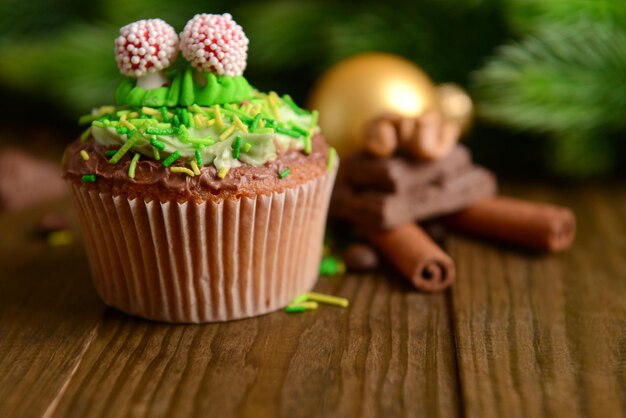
(545, 336)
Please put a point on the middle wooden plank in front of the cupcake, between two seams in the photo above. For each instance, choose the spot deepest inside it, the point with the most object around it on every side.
(390, 354)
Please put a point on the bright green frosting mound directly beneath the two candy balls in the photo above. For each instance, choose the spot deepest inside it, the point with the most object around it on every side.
(186, 89)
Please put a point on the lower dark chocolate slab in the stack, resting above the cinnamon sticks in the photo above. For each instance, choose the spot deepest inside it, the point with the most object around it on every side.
(385, 211)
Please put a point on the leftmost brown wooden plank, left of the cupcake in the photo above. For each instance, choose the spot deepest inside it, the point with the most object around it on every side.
(49, 314)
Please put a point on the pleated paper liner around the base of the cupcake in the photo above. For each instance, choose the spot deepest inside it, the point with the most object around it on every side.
(191, 263)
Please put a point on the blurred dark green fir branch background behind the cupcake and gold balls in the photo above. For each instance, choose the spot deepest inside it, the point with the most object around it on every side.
(548, 76)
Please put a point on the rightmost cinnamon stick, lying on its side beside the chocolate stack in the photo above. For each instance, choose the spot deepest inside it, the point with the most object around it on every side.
(535, 226)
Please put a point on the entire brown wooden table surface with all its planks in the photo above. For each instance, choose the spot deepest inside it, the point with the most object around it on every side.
(519, 335)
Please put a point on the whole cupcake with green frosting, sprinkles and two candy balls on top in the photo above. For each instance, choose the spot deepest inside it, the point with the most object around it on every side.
(200, 198)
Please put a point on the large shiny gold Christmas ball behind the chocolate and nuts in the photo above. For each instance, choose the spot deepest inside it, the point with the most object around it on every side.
(358, 89)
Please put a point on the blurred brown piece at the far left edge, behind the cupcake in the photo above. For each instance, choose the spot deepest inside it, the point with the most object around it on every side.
(26, 180)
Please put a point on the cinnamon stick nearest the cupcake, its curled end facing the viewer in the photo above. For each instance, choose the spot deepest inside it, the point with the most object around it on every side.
(412, 252)
